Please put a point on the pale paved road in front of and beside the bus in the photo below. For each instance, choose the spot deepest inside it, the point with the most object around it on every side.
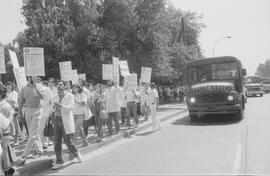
(213, 145)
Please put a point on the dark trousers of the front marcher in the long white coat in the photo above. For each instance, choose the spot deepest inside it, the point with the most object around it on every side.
(59, 133)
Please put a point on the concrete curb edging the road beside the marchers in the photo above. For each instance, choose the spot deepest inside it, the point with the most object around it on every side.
(47, 163)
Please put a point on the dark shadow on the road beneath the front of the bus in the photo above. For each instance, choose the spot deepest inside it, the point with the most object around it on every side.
(209, 120)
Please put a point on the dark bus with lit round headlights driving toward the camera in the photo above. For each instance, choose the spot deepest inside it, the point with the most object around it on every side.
(215, 86)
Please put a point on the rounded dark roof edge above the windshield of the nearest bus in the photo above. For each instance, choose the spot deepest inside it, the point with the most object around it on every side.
(213, 60)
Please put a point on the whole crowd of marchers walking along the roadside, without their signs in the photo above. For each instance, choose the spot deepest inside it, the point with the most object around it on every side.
(45, 113)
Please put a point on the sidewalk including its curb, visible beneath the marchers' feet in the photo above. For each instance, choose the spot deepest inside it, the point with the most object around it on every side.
(35, 166)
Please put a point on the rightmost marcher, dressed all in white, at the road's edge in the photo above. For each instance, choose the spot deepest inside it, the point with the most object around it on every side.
(153, 107)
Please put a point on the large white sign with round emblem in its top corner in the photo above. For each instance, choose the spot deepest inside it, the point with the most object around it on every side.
(34, 61)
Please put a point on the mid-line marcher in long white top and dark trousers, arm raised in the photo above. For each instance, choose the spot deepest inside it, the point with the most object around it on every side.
(113, 106)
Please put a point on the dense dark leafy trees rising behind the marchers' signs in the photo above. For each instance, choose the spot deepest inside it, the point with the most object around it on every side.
(149, 33)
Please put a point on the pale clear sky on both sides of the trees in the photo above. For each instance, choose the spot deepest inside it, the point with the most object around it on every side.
(246, 21)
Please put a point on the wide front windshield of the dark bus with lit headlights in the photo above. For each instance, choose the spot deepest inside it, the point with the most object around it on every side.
(220, 71)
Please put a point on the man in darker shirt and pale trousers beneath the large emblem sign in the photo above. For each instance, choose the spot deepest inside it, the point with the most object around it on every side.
(31, 98)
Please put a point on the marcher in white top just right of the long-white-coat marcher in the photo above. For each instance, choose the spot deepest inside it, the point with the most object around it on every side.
(79, 113)
